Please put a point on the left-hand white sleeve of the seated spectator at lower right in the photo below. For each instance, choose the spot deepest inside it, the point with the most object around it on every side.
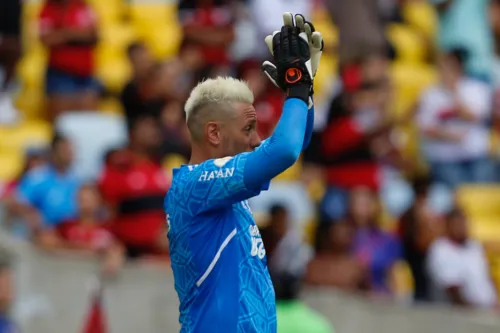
(443, 267)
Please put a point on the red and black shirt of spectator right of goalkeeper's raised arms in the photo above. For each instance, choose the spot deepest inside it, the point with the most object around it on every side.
(344, 140)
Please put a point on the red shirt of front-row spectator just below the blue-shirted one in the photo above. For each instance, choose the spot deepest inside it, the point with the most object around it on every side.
(94, 236)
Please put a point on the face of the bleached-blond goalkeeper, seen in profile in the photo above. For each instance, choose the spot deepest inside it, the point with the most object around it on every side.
(239, 133)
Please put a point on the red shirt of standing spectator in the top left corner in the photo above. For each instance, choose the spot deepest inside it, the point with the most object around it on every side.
(75, 14)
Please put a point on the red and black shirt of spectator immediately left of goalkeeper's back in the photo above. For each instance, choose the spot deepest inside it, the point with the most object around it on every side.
(135, 187)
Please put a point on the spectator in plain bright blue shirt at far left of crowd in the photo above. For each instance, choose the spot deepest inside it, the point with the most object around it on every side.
(46, 195)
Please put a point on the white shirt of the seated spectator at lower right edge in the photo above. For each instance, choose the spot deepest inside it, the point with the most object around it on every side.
(464, 266)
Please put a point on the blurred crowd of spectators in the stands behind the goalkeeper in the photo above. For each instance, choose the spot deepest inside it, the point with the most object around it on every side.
(381, 175)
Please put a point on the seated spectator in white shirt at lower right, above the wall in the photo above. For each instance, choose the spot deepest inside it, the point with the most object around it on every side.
(458, 266)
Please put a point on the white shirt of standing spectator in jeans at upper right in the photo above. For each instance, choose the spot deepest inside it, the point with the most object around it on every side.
(436, 106)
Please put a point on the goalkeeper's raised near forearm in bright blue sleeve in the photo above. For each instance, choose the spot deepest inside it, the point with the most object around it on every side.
(282, 149)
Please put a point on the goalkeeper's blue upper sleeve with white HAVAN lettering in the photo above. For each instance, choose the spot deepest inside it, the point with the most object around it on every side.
(218, 183)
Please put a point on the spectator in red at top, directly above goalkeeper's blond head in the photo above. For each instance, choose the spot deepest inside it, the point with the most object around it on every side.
(216, 19)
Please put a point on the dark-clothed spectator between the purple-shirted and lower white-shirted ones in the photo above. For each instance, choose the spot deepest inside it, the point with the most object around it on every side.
(418, 228)
